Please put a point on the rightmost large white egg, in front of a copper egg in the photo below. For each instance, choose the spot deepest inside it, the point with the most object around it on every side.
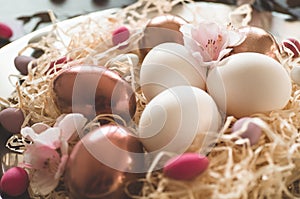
(249, 83)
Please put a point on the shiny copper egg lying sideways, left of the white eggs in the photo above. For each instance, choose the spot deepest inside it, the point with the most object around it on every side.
(93, 90)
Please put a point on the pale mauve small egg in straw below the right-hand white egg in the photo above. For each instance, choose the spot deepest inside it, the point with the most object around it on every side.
(253, 132)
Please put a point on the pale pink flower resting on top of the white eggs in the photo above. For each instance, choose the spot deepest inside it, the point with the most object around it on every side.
(208, 42)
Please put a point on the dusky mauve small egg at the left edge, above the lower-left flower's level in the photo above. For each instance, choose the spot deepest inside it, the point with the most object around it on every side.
(12, 119)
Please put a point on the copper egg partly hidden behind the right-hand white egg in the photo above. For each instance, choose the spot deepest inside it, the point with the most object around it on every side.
(257, 40)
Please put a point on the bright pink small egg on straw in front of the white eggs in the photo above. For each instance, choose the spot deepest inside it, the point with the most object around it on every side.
(186, 166)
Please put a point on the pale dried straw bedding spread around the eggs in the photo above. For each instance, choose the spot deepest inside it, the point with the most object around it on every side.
(237, 170)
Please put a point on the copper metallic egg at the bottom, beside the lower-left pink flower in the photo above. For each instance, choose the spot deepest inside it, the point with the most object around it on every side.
(102, 162)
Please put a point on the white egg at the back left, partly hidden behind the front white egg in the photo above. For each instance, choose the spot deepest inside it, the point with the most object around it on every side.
(168, 65)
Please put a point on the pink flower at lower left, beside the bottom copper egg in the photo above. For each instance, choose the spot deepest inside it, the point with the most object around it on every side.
(43, 157)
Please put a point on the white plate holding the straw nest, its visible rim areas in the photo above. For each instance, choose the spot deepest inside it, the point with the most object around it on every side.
(218, 12)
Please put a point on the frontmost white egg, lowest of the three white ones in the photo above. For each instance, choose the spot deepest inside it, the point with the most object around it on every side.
(173, 118)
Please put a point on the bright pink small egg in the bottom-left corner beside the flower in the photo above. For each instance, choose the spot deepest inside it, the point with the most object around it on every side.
(14, 181)
